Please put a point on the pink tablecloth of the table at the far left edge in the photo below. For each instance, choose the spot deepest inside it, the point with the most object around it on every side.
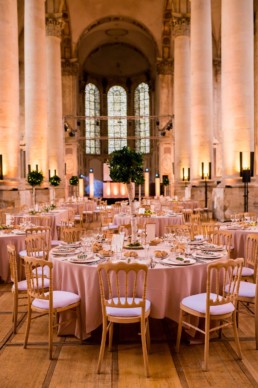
(19, 242)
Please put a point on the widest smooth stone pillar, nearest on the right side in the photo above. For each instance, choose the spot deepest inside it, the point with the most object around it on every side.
(237, 81)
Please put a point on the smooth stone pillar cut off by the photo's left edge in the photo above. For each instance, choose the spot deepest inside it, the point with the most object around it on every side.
(9, 87)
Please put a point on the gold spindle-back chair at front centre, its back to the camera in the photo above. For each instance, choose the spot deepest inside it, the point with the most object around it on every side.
(124, 302)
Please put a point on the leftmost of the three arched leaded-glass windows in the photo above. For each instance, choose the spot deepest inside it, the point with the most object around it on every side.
(92, 126)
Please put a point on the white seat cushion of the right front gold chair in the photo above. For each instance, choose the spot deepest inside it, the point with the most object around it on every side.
(198, 303)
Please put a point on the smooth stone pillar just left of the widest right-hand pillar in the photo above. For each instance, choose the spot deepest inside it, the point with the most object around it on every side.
(201, 86)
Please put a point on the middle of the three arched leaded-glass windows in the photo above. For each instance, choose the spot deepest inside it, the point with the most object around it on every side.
(117, 127)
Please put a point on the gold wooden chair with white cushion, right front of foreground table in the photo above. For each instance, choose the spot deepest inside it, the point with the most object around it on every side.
(217, 304)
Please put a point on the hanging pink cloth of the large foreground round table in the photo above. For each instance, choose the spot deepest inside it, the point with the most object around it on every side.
(167, 286)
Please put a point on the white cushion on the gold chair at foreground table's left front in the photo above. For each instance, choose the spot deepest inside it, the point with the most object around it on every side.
(60, 299)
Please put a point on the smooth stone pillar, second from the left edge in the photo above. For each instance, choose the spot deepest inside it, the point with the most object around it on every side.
(35, 85)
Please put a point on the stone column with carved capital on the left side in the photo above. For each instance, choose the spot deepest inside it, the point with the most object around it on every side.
(54, 103)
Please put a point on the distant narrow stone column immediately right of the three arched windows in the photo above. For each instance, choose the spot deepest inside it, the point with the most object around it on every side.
(165, 109)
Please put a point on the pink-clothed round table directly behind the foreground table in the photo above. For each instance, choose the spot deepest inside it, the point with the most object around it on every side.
(160, 221)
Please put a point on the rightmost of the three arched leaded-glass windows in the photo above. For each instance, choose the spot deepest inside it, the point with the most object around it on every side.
(142, 125)
